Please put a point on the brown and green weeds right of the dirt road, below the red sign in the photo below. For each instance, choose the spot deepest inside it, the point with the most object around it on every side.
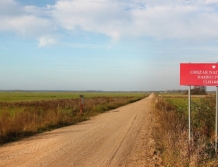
(171, 131)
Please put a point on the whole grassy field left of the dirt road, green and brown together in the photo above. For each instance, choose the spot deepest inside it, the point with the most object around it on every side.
(26, 113)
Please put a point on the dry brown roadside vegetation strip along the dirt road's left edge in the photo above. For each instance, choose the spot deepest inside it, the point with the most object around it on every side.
(21, 119)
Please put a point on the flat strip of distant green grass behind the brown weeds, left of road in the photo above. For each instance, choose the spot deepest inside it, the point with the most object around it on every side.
(34, 96)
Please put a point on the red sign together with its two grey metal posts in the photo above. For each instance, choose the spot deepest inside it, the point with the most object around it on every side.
(200, 74)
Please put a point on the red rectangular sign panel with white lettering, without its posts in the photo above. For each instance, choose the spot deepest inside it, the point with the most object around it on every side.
(199, 74)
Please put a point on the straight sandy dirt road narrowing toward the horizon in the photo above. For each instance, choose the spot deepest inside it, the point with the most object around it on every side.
(120, 137)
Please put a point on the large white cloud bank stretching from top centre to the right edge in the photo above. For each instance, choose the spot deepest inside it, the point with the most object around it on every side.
(160, 19)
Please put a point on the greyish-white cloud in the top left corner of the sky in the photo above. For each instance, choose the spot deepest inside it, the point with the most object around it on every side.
(28, 21)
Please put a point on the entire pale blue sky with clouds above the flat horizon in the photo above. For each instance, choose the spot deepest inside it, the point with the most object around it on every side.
(125, 45)
